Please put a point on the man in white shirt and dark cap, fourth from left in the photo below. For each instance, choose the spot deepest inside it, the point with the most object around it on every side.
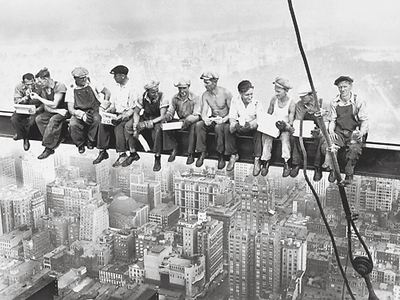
(122, 102)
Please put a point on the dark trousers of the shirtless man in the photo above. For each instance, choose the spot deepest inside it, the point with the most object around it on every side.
(225, 140)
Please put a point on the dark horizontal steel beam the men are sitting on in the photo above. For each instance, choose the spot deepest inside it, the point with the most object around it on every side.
(378, 159)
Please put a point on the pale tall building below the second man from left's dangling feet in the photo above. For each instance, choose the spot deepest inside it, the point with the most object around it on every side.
(38, 173)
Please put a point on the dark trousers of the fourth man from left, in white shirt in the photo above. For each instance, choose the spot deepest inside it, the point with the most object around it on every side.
(121, 139)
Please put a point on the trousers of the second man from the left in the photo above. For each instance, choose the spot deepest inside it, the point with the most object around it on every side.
(50, 126)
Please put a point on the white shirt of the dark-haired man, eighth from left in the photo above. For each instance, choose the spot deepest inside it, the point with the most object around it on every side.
(240, 112)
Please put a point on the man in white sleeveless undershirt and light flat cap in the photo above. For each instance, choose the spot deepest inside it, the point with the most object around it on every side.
(282, 107)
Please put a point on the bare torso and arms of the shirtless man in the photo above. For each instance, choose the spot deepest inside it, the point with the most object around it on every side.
(219, 101)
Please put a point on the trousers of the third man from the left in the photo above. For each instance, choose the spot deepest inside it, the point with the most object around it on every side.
(79, 130)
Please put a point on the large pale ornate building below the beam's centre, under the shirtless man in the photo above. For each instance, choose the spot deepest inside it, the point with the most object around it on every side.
(198, 191)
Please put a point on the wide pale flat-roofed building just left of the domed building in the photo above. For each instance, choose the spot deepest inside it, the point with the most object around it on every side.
(70, 195)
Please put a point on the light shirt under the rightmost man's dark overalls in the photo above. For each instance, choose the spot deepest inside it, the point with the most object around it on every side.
(359, 110)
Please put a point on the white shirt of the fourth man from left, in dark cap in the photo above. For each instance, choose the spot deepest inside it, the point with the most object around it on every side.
(124, 97)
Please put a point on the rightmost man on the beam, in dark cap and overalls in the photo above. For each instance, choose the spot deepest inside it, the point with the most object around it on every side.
(348, 124)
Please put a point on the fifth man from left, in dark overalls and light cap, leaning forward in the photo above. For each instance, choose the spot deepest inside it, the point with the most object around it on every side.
(154, 106)
